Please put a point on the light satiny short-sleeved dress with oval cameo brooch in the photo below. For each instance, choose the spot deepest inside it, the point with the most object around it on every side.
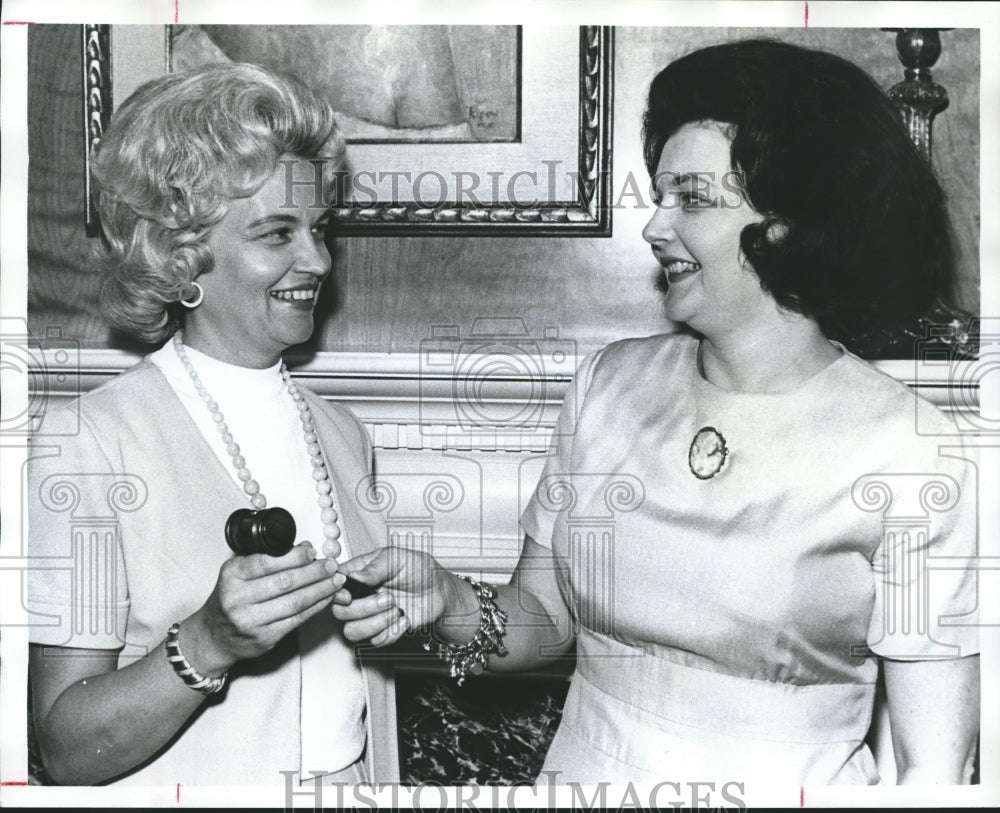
(725, 626)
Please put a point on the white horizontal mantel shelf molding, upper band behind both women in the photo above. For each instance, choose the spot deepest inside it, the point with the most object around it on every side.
(400, 393)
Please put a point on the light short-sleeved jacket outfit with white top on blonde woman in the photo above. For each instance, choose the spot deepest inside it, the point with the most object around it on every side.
(128, 502)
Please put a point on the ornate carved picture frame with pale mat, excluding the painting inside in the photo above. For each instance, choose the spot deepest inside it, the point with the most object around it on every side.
(554, 181)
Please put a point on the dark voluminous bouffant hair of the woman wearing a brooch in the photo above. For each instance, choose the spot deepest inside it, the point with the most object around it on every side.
(863, 237)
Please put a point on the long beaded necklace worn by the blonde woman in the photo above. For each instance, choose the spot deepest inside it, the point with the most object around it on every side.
(324, 488)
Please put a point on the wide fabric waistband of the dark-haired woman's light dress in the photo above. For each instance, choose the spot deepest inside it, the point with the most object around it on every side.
(724, 704)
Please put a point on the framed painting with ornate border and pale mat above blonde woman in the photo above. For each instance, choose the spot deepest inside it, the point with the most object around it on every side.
(450, 130)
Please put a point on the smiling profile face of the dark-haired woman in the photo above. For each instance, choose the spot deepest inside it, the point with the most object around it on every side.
(695, 233)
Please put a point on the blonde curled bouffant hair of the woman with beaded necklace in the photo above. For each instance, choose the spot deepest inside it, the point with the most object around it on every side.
(177, 151)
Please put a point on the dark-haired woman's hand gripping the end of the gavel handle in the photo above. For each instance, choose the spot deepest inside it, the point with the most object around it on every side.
(412, 591)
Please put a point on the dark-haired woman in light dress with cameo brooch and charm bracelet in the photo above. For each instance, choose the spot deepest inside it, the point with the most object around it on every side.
(764, 489)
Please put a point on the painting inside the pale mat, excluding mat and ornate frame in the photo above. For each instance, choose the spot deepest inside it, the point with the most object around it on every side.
(400, 83)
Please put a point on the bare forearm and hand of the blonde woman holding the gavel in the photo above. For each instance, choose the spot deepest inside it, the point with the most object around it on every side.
(97, 723)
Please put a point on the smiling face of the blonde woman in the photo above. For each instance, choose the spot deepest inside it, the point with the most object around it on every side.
(269, 261)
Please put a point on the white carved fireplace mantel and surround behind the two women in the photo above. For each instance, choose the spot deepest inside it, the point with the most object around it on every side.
(423, 439)
